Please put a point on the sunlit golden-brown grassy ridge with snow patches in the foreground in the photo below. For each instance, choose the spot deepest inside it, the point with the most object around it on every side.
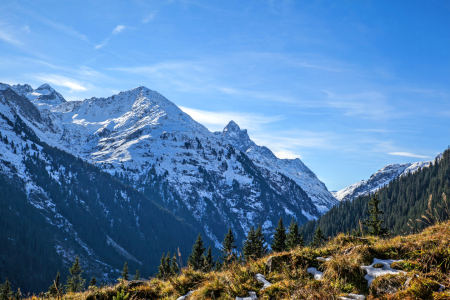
(426, 261)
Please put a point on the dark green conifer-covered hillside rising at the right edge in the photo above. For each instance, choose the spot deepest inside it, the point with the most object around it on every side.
(405, 198)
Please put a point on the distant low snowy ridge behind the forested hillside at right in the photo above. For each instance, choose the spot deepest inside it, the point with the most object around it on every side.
(379, 179)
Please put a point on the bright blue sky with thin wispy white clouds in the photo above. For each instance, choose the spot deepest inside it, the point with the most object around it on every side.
(347, 86)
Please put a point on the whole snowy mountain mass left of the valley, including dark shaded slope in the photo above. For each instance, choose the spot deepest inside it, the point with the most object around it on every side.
(130, 176)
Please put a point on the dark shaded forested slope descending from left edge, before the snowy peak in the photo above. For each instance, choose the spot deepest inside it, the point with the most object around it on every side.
(60, 206)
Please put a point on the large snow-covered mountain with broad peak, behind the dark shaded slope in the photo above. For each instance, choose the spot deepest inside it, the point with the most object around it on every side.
(207, 178)
